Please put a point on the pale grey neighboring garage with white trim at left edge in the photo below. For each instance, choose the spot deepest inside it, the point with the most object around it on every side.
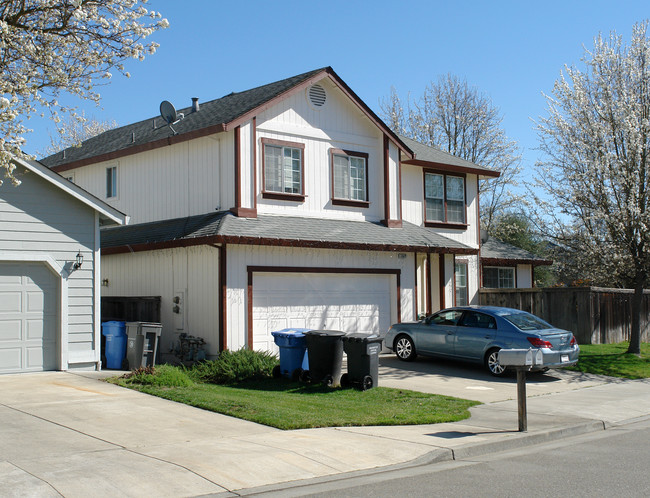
(49, 272)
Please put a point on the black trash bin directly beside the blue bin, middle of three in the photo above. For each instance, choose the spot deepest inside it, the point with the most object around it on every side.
(325, 353)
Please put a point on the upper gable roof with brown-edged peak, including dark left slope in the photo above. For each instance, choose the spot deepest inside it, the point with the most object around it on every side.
(215, 116)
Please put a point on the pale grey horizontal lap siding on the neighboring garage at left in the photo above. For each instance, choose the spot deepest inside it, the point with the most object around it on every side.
(37, 218)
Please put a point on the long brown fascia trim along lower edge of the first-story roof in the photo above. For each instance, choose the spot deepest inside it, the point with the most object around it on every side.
(260, 241)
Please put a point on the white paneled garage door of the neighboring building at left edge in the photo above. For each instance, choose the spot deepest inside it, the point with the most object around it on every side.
(28, 318)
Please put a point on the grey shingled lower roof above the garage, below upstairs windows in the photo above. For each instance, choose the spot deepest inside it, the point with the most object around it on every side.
(224, 227)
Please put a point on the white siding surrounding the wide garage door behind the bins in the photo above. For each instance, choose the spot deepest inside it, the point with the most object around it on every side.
(240, 257)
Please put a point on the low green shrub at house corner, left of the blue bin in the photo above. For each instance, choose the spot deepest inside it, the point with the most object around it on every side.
(232, 367)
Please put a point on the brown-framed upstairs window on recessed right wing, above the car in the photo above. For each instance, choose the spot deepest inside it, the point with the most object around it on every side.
(444, 197)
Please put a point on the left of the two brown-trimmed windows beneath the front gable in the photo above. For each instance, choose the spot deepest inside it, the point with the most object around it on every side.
(283, 169)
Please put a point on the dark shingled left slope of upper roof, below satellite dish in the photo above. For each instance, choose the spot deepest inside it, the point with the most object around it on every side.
(212, 113)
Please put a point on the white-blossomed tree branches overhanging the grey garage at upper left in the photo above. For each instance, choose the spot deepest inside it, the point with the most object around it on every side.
(50, 47)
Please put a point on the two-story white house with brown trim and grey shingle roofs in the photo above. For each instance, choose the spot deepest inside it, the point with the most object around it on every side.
(287, 205)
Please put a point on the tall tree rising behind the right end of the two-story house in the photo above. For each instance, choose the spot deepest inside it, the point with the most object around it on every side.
(456, 118)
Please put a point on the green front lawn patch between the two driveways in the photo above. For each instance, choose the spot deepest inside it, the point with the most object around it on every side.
(291, 405)
